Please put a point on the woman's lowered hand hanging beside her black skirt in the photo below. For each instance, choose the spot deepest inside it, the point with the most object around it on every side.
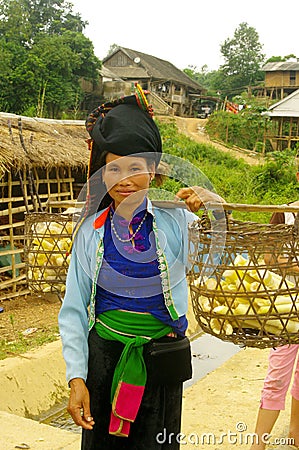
(79, 405)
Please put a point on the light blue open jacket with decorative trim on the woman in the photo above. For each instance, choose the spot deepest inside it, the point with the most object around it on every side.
(76, 317)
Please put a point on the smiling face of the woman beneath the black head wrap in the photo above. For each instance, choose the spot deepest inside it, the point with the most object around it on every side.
(127, 179)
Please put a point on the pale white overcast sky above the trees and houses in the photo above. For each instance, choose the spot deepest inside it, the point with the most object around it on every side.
(189, 32)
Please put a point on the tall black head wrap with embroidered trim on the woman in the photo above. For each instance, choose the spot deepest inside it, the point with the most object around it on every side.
(124, 127)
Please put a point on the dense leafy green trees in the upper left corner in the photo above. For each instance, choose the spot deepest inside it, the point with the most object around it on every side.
(44, 56)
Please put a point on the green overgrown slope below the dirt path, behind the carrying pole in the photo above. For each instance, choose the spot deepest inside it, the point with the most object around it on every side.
(236, 181)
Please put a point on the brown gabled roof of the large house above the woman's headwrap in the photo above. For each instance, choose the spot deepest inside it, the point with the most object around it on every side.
(154, 68)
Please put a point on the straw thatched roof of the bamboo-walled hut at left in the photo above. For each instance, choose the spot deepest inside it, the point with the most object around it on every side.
(49, 143)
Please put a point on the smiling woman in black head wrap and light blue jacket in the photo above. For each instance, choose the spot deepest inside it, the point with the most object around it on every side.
(127, 291)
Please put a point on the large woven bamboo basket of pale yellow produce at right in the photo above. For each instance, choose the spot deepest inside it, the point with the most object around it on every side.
(243, 282)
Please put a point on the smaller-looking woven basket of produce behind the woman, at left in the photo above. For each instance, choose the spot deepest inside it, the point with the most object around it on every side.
(48, 239)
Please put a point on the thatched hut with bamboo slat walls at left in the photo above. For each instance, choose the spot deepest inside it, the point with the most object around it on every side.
(41, 161)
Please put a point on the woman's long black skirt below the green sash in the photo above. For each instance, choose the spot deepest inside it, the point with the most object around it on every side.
(158, 422)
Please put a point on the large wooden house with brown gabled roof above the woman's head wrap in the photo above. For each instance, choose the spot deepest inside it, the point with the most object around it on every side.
(165, 82)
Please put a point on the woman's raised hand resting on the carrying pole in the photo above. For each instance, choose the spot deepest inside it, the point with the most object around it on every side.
(197, 196)
